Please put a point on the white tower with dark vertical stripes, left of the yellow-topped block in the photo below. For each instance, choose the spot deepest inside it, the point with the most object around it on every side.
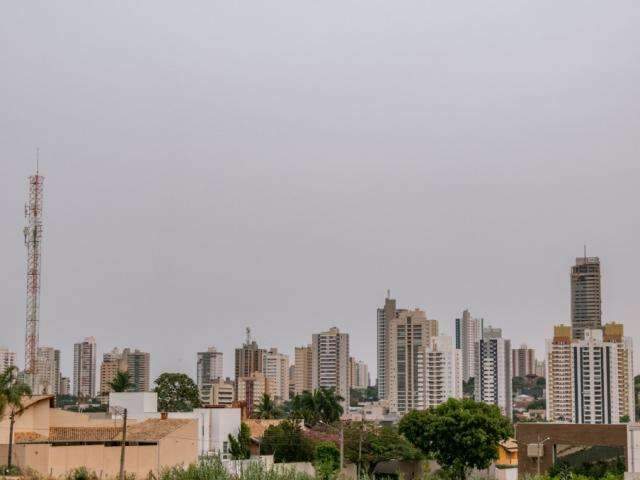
(493, 374)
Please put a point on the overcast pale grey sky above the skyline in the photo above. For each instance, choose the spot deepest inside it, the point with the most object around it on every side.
(279, 164)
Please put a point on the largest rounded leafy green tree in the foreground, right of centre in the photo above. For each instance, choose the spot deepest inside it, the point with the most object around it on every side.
(459, 434)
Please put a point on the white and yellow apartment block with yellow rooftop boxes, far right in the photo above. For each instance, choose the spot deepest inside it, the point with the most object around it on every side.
(590, 380)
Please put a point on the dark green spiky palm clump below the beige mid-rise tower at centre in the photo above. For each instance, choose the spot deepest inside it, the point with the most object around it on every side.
(322, 405)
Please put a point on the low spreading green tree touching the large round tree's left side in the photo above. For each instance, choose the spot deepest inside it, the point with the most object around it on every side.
(367, 444)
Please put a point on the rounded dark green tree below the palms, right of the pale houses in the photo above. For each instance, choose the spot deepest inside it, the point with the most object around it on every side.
(286, 443)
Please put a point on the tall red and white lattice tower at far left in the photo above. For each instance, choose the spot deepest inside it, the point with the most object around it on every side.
(33, 242)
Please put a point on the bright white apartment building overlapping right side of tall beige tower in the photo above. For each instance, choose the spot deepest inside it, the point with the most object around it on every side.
(442, 371)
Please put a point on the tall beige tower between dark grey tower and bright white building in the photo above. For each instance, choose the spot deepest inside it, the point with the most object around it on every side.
(408, 333)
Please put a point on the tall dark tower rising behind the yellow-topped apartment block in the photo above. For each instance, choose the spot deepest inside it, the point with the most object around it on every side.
(586, 296)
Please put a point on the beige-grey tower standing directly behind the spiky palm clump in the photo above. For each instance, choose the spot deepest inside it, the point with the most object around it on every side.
(330, 362)
